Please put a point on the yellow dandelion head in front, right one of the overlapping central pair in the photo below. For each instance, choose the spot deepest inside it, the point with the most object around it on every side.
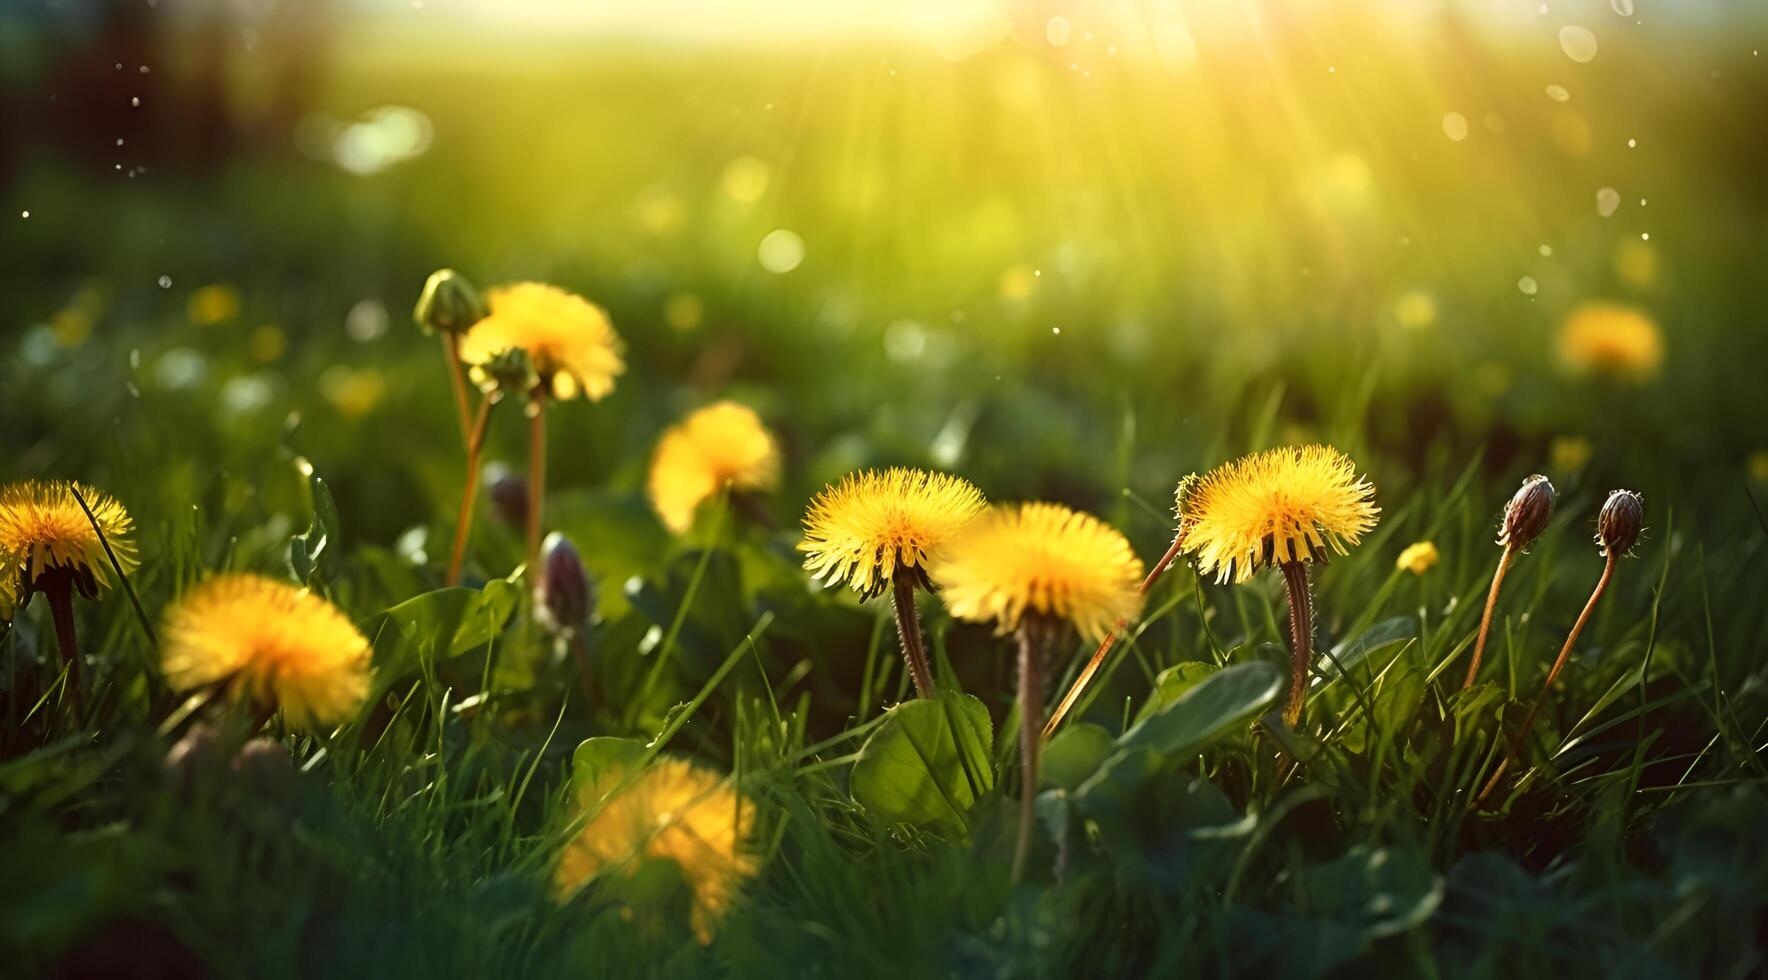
(1044, 560)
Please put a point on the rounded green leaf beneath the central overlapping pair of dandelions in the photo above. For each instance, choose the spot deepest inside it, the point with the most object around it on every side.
(927, 763)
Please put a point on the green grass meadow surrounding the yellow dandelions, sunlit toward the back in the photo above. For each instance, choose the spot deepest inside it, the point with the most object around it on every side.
(420, 839)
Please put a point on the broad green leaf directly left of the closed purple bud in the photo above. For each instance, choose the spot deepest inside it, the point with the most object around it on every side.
(439, 625)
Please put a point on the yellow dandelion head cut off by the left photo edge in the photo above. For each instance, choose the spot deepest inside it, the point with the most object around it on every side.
(43, 528)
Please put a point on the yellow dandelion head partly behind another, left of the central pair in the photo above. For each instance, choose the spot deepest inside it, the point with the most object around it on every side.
(873, 524)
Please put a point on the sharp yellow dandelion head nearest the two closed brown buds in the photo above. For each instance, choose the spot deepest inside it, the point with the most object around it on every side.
(1277, 507)
